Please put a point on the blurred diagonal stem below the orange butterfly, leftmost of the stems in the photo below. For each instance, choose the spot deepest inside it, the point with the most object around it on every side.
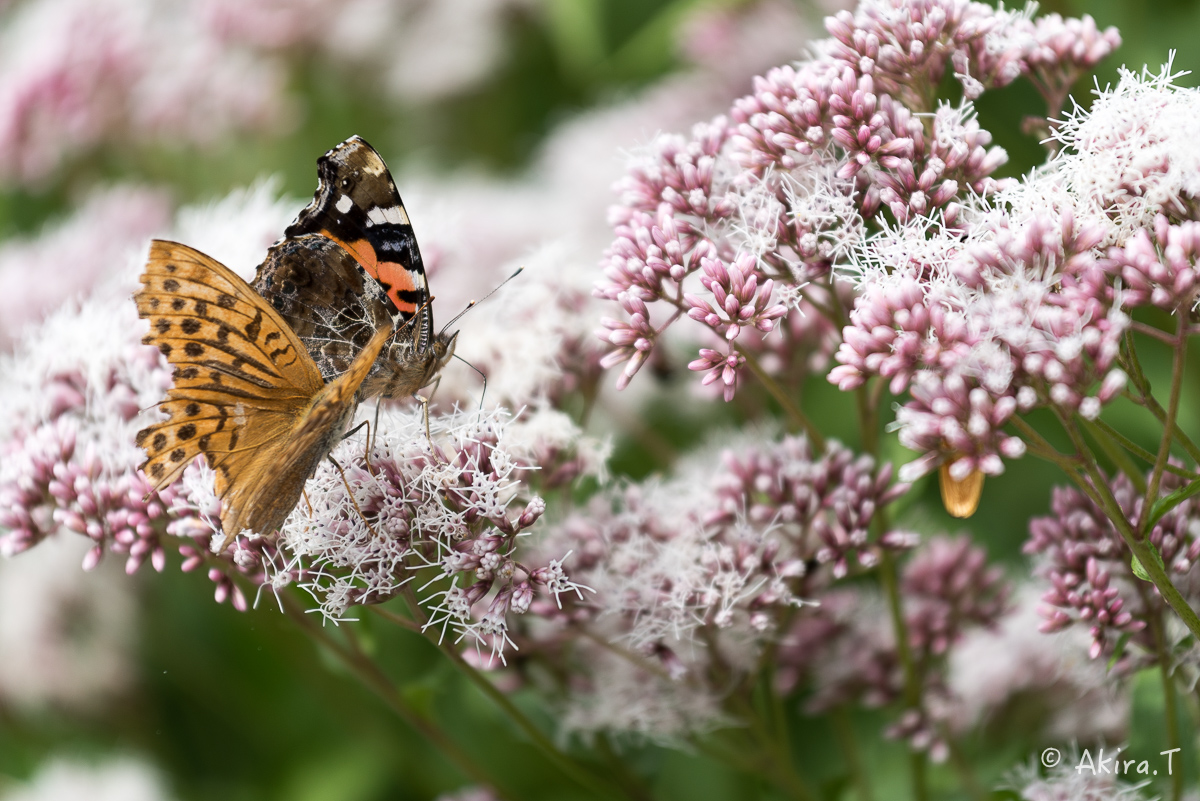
(371, 677)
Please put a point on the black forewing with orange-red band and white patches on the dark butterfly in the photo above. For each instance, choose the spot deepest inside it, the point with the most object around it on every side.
(358, 207)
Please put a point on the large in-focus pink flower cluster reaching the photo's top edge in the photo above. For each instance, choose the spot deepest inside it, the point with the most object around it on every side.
(753, 208)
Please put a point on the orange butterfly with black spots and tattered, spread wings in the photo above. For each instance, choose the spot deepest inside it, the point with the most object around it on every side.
(247, 395)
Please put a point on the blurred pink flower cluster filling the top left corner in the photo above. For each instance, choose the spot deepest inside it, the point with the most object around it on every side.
(79, 75)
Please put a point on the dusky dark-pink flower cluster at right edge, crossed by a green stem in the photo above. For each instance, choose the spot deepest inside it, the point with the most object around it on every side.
(1088, 563)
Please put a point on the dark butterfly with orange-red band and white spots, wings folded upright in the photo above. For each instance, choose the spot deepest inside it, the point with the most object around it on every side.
(347, 266)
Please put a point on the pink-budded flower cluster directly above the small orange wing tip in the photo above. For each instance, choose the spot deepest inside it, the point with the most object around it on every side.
(1024, 317)
